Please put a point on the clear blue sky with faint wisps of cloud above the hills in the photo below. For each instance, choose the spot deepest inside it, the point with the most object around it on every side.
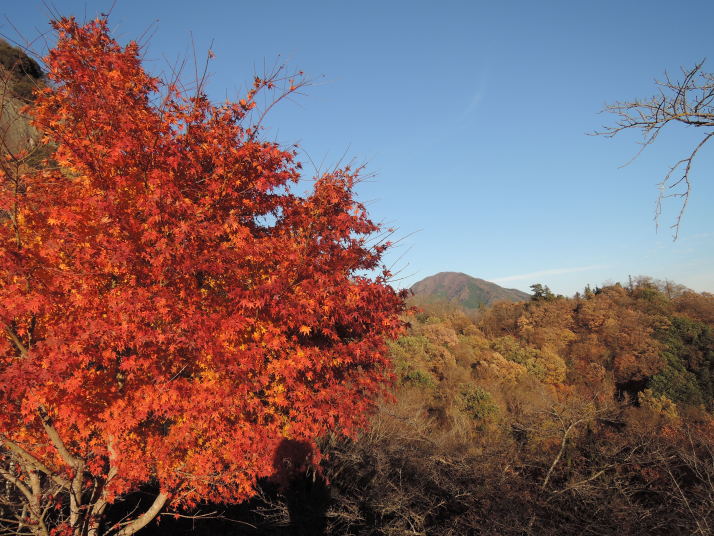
(473, 116)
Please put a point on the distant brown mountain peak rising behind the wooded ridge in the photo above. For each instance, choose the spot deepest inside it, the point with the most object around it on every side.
(464, 290)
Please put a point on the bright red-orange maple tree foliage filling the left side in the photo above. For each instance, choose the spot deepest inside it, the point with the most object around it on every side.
(170, 310)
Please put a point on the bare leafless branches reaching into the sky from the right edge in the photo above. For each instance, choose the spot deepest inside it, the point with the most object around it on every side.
(688, 101)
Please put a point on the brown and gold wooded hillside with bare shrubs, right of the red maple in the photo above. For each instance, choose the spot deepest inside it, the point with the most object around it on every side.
(560, 415)
